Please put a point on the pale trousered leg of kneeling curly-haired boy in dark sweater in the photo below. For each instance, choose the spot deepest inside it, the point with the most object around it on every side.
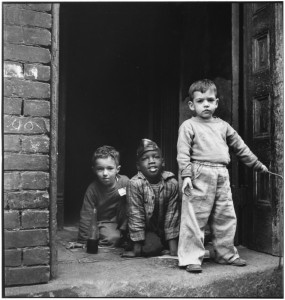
(109, 235)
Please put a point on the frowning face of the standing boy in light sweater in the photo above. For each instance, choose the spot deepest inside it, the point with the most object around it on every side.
(204, 104)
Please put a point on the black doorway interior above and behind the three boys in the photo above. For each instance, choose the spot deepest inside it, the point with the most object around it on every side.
(124, 70)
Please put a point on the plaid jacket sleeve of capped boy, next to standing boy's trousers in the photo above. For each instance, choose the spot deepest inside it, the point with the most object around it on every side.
(171, 224)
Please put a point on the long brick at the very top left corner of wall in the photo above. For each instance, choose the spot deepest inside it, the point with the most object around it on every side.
(16, 16)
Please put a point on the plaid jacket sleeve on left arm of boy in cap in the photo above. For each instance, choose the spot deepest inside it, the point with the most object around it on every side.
(136, 212)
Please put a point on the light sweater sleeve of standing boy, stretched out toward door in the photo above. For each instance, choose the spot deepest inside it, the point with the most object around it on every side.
(241, 150)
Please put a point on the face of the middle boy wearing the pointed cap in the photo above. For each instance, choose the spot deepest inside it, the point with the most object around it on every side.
(151, 164)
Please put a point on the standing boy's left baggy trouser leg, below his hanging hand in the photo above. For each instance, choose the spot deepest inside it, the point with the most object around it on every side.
(195, 212)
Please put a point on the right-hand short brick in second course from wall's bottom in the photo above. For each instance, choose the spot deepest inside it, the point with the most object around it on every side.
(36, 256)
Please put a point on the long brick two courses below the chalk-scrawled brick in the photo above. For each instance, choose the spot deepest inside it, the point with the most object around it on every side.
(26, 162)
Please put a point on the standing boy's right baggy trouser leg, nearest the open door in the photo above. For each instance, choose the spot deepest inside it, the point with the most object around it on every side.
(223, 221)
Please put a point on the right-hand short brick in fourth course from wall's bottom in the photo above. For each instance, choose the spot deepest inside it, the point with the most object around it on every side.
(35, 219)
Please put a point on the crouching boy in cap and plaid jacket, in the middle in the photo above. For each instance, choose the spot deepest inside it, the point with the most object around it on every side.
(152, 196)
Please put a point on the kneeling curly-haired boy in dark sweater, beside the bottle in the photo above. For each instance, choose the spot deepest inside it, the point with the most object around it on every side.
(107, 194)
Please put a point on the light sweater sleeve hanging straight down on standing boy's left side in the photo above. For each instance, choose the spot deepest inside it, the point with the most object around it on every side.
(183, 150)
